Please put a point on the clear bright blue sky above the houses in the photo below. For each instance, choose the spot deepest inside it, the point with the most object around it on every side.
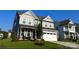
(7, 16)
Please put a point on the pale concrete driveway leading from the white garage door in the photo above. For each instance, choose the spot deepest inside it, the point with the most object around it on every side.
(68, 44)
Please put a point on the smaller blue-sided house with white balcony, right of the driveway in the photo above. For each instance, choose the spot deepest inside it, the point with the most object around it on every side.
(67, 29)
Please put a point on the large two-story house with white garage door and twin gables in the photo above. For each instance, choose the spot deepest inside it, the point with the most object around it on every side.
(25, 24)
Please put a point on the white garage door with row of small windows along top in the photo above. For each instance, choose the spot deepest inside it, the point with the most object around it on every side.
(50, 36)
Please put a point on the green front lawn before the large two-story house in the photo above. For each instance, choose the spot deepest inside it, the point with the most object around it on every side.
(7, 44)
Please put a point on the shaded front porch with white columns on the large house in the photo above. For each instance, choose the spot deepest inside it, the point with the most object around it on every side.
(27, 34)
